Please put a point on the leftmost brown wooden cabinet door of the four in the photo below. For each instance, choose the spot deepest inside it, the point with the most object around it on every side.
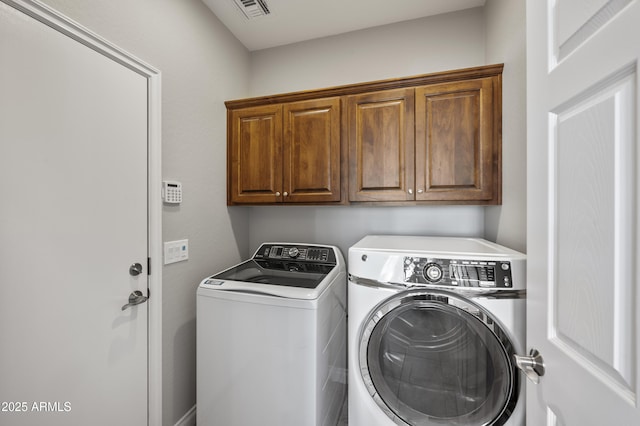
(255, 160)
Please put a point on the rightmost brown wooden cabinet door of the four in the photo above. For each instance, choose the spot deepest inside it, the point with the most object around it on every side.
(458, 141)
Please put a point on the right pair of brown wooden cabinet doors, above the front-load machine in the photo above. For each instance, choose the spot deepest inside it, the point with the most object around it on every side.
(437, 143)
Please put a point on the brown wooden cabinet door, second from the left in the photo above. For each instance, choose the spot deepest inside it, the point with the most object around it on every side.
(311, 159)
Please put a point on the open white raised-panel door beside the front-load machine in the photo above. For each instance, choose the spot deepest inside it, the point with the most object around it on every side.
(582, 239)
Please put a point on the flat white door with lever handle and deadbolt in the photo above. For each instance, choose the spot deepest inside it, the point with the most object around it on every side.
(73, 218)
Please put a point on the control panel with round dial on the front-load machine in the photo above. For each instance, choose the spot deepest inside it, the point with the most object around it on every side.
(458, 272)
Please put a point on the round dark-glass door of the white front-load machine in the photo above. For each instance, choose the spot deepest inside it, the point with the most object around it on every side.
(436, 358)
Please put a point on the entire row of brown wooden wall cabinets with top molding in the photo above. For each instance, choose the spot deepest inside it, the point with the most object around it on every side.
(429, 139)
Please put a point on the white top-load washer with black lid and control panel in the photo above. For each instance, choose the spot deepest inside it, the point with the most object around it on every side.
(271, 339)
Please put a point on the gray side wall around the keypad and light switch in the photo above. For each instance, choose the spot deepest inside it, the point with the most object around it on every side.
(202, 65)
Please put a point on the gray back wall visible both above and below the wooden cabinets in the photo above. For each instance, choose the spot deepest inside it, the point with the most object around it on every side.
(444, 42)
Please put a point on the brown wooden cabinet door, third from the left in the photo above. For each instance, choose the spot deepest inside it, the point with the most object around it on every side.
(381, 145)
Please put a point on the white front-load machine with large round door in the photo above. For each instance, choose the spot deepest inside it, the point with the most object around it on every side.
(434, 324)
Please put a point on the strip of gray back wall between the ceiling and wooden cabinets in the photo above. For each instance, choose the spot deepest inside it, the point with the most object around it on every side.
(440, 43)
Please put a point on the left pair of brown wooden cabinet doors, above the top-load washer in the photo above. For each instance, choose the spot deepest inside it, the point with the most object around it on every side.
(285, 153)
